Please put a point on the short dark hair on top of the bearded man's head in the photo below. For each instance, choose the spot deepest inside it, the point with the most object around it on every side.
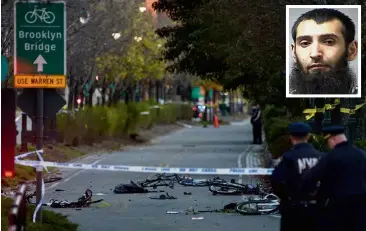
(325, 15)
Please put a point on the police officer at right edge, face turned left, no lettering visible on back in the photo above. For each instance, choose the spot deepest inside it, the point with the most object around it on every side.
(342, 176)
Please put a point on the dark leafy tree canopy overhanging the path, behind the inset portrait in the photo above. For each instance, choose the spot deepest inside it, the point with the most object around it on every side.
(235, 42)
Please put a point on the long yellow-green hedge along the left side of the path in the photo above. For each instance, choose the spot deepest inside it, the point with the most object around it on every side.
(97, 123)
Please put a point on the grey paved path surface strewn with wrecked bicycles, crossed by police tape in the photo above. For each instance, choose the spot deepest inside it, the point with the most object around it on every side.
(226, 147)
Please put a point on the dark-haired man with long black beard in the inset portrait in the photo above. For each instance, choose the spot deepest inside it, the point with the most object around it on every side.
(324, 44)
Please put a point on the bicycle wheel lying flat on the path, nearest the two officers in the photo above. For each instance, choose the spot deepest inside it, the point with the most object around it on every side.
(257, 207)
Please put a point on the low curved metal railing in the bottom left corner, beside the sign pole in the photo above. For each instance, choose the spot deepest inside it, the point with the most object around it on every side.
(17, 215)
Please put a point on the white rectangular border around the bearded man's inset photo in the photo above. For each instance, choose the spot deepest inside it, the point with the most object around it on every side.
(359, 55)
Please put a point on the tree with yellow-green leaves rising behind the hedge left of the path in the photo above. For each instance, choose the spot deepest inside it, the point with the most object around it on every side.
(134, 66)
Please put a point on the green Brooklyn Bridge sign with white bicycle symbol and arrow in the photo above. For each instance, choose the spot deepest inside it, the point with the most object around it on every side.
(40, 39)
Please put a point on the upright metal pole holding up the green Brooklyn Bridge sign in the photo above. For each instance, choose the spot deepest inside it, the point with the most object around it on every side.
(39, 146)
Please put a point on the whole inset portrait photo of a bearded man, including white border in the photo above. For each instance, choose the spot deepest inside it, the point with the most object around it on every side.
(323, 51)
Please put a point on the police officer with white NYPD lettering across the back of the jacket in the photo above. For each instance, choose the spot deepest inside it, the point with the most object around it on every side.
(298, 210)
